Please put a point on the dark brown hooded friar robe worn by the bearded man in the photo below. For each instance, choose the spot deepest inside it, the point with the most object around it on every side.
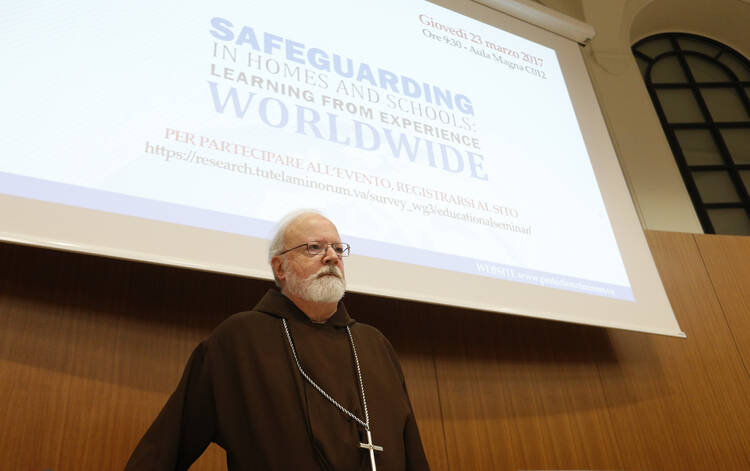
(241, 389)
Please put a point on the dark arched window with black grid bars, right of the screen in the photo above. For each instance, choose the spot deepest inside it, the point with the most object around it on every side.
(701, 92)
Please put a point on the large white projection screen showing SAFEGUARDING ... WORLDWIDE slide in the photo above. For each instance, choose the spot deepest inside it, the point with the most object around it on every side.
(461, 152)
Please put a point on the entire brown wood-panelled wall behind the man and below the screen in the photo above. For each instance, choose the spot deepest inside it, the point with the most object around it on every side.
(90, 349)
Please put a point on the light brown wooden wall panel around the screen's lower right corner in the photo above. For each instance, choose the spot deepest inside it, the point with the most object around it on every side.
(679, 404)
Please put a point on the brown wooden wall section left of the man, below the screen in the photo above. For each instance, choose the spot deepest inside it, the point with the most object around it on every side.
(91, 348)
